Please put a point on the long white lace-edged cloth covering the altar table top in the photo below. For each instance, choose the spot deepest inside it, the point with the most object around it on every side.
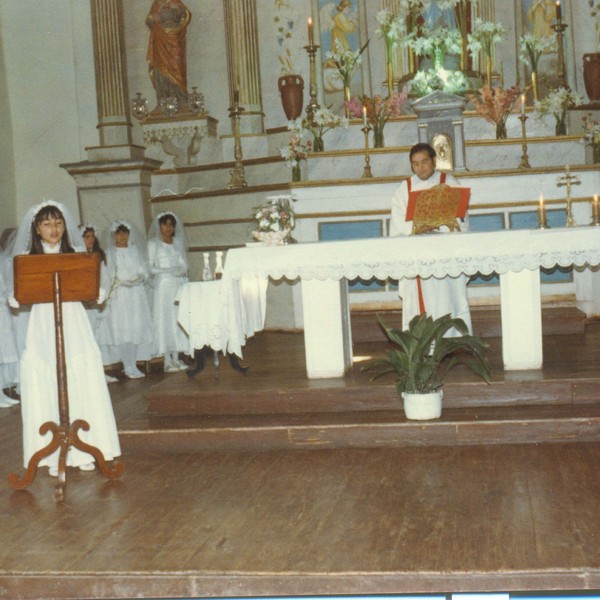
(425, 255)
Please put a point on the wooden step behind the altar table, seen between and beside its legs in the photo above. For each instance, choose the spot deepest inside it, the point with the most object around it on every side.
(486, 322)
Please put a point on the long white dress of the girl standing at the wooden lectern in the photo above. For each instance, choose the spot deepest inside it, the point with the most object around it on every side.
(87, 390)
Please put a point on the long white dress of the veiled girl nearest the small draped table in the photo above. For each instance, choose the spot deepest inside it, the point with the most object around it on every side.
(168, 266)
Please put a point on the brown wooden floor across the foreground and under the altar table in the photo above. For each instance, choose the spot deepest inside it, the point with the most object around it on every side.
(294, 521)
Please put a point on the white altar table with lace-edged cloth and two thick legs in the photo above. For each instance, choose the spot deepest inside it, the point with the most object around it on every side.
(325, 267)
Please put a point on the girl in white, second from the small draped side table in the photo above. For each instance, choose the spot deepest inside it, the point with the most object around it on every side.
(129, 316)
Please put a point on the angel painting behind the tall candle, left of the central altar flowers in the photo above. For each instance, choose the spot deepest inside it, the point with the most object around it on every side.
(339, 25)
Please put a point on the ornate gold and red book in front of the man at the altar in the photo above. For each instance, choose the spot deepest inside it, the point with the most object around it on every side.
(437, 206)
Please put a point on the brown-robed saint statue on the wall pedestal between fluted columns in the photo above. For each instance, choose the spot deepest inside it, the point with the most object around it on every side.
(168, 21)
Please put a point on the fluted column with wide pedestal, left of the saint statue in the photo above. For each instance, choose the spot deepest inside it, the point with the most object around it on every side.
(115, 181)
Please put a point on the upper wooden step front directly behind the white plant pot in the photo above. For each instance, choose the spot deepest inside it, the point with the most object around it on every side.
(181, 397)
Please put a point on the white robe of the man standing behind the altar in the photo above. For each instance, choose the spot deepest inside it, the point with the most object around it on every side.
(441, 296)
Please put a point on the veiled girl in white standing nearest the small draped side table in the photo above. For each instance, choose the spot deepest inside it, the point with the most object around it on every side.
(167, 253)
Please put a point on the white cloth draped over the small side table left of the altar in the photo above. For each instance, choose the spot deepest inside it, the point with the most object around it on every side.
(222, 317)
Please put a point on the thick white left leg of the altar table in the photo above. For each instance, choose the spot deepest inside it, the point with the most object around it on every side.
(327, 335)
